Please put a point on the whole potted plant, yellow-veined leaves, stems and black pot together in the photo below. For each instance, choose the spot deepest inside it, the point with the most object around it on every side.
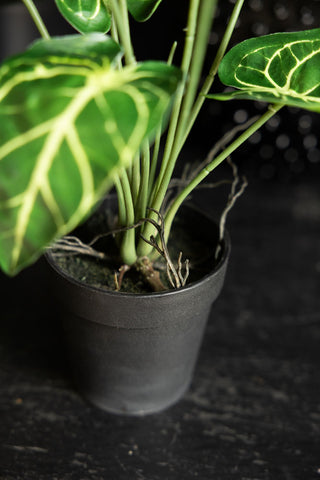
(78, 115)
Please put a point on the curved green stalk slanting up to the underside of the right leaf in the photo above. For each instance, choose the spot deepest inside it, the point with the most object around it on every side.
(217, 161)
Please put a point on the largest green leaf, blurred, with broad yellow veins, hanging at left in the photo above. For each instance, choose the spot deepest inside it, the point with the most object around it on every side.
(66, 125)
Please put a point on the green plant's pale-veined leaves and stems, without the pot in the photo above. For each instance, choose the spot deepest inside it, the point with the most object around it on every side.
(79, 113)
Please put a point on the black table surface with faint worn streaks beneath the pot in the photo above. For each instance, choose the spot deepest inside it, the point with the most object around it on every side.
(253, 411)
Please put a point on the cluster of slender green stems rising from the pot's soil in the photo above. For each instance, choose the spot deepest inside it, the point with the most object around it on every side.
(142, 188)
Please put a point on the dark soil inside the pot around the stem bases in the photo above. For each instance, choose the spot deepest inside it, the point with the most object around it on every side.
(192, 234)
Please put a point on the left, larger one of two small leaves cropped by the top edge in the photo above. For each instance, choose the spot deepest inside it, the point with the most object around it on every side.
(86, 16)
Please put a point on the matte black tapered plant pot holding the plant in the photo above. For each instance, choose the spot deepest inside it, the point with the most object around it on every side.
(135, 353)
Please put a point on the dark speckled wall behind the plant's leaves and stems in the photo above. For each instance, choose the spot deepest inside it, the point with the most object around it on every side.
(283, 151)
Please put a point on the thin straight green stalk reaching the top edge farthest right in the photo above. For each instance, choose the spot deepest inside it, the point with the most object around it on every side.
(214, 68)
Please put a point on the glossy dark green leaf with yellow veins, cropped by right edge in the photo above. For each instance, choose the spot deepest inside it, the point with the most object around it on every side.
(279, 68)
